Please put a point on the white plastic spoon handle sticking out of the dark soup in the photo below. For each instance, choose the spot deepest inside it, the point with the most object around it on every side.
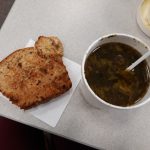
(138, 61)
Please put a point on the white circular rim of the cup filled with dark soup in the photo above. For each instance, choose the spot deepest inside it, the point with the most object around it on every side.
(86, 83)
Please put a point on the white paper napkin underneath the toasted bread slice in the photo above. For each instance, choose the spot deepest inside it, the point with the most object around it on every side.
(51, 112)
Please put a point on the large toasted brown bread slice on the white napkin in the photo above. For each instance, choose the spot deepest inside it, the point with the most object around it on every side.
(29, 79)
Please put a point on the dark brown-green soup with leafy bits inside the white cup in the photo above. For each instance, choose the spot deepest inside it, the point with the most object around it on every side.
(106, 75)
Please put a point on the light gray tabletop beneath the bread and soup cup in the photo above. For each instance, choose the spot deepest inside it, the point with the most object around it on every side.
(78, 23)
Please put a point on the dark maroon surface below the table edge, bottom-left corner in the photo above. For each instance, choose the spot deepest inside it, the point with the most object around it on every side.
(15, 136)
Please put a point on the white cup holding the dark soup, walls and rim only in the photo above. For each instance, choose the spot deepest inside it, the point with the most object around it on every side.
(88, 93)
